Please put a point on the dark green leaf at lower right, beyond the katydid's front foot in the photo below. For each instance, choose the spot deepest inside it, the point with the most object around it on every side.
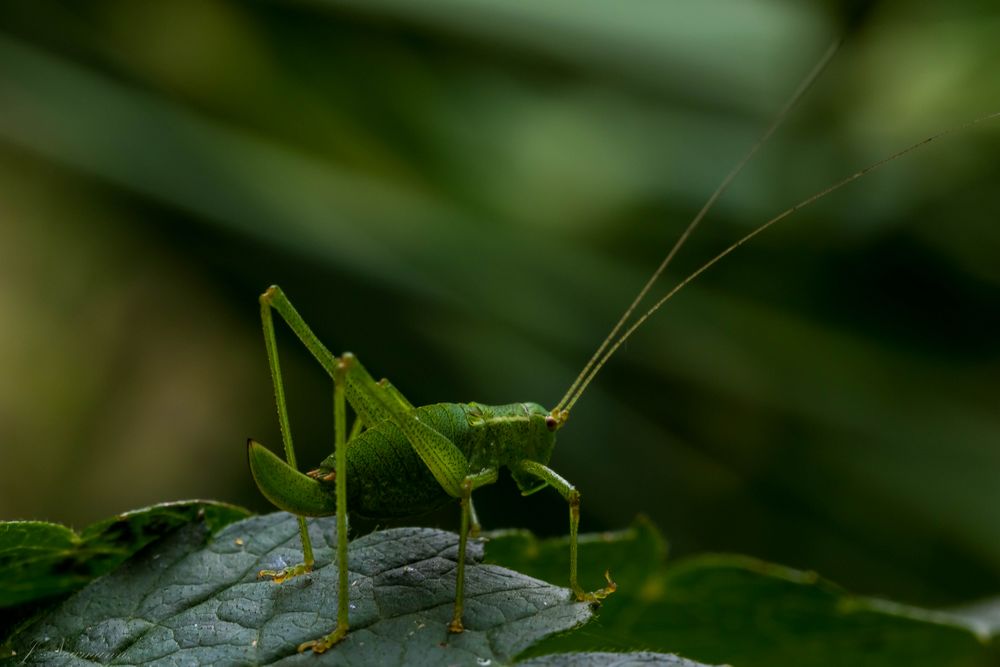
(743, 611)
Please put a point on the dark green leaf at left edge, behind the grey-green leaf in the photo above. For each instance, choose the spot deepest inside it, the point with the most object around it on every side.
(41, 560)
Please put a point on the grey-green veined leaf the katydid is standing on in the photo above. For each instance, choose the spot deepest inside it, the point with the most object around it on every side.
(192, 598)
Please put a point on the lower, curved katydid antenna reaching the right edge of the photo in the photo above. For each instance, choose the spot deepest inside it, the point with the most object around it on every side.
(781, 216)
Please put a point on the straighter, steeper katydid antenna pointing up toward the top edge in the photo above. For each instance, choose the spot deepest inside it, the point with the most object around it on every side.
(804, 86)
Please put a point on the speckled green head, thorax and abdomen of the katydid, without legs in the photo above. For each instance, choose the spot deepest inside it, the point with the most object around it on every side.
(387, 479)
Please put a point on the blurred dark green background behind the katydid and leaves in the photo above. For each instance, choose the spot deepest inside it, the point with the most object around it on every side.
(466, 194)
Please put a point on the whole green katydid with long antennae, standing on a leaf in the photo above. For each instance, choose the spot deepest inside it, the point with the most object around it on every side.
(404, 460)
